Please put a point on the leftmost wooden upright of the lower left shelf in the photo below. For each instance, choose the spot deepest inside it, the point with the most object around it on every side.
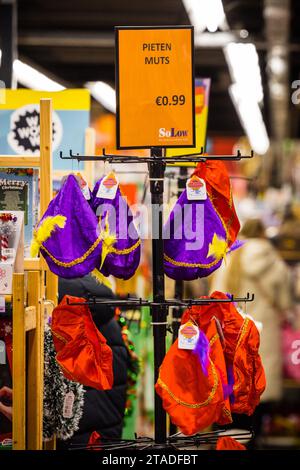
(19, 363)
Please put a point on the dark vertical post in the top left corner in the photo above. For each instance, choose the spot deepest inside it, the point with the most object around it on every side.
(8, 40)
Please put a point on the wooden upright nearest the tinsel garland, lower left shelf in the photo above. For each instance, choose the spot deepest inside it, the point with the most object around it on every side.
(35, 366)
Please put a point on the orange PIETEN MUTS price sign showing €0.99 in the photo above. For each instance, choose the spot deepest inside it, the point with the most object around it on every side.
(155, 87)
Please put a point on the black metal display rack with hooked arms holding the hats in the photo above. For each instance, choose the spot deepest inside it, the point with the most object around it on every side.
(159, 306)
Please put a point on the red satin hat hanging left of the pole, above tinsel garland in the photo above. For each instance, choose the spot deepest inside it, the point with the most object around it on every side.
(82, 351)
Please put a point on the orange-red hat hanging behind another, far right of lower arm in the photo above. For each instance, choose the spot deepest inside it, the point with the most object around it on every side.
(241, 351)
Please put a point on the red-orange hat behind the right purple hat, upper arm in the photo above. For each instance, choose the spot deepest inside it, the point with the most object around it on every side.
(218, 186)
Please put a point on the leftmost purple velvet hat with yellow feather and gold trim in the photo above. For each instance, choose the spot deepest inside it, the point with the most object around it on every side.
(68, 235)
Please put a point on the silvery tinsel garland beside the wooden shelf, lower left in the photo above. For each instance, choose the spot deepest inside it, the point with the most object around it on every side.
(56, 387)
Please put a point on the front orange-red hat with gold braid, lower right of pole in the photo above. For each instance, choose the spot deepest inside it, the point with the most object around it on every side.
(192, 398)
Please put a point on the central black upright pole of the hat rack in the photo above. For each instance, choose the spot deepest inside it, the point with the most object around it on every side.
(159, 313)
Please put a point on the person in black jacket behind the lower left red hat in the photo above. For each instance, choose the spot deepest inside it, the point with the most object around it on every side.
(103, 411)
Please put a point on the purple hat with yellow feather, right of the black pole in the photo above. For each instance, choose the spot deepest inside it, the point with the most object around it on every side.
(195, 239)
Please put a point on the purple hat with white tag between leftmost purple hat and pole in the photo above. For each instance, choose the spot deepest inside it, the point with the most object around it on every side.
(116, 218)
